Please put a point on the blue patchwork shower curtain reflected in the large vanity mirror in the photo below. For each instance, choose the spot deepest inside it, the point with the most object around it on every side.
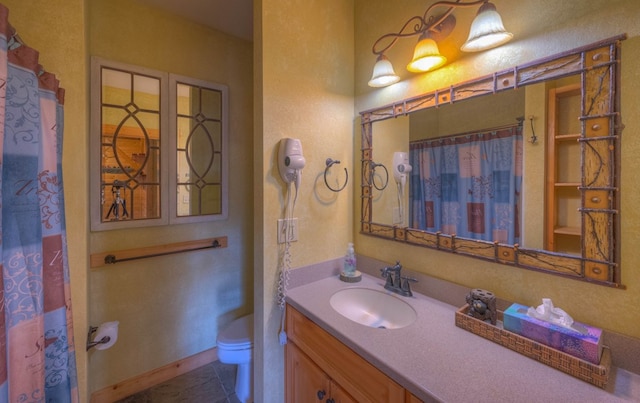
(468, 185)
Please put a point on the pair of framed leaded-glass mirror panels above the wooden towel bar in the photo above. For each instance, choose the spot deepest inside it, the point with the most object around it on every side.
(151, 134)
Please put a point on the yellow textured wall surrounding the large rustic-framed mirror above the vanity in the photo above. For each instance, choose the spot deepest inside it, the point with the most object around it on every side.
(538, 31)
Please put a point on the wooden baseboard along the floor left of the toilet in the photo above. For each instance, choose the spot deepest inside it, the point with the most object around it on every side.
(145, 381)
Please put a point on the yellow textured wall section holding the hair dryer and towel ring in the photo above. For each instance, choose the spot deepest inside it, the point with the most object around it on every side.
(305, 72)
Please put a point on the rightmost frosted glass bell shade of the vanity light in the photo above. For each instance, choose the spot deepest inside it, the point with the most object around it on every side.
(487, 30)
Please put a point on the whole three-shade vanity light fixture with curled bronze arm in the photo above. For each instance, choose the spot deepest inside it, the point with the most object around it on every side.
(487, 31)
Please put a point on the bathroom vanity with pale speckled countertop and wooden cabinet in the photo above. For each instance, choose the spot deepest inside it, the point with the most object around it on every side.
(330, 358)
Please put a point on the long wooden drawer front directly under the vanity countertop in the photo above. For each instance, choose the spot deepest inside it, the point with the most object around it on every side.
(353, 373)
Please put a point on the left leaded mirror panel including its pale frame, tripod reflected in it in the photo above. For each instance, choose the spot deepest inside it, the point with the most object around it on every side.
(128, 124)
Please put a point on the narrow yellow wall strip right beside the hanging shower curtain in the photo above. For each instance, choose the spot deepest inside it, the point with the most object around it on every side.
(56, 29)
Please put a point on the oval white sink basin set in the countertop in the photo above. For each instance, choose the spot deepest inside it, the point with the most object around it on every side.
(373, 308)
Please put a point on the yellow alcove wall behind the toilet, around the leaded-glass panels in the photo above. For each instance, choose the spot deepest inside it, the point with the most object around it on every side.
(172, 307)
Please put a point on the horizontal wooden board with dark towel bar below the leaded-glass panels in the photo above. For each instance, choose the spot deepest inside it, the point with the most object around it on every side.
(100, 259)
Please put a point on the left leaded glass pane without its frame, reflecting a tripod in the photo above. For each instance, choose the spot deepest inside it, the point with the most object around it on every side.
(130, 178)
